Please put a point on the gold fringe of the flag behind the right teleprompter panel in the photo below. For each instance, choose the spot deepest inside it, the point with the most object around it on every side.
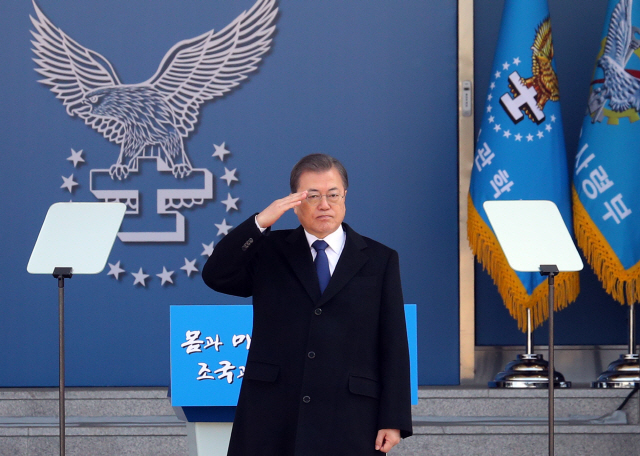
(487, 250)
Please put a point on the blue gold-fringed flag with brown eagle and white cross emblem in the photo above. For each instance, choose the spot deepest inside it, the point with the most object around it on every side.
(520, 153)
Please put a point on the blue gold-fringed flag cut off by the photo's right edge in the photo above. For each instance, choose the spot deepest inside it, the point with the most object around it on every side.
(606, 179)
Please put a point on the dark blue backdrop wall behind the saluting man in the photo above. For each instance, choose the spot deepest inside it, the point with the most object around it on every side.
(372, 82)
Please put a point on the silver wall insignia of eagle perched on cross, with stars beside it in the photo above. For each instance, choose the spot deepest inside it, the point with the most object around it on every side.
(150, 121)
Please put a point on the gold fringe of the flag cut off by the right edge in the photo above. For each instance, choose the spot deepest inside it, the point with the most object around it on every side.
(622, 284)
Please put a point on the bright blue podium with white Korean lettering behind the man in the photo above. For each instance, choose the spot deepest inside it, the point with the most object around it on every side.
(209, 346)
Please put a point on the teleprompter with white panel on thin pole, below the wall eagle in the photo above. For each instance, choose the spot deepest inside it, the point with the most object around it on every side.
(75, 238)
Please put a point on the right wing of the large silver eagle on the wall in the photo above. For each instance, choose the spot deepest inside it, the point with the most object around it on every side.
(210, 65)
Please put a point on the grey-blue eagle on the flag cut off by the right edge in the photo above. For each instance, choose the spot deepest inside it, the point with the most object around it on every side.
(619, 87)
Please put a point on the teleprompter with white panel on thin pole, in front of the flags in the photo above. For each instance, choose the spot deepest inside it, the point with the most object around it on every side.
(534, 238)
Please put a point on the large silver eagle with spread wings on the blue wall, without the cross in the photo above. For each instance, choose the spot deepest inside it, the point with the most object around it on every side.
(152, 118)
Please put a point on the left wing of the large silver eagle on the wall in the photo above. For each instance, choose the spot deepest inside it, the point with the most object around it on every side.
(71, 71)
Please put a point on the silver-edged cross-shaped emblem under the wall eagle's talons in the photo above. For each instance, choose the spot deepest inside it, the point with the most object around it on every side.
(171, 195)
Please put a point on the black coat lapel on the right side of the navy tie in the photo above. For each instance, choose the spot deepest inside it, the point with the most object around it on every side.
(351, 261)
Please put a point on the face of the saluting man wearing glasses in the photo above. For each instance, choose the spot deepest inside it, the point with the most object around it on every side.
(325, 218)
